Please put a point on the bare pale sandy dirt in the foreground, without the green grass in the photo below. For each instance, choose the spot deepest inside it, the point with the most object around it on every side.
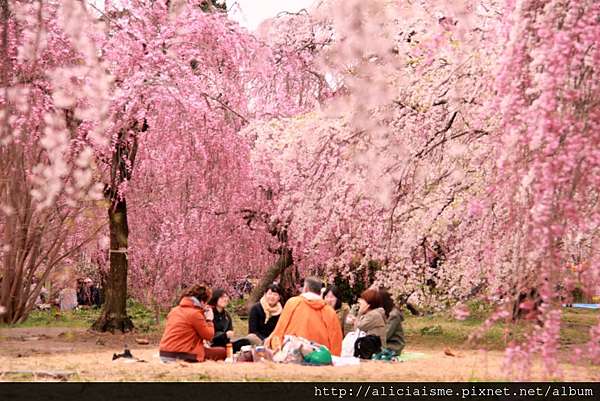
(85, 356)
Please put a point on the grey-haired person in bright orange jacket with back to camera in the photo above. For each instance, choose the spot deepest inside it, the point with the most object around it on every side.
(310, 317)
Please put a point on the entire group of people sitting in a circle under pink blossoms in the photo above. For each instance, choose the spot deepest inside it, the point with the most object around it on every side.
(200, 327)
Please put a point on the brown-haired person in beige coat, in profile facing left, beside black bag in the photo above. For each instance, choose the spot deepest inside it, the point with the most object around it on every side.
(371, 316)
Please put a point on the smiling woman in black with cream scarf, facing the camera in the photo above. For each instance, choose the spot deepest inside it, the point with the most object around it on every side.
(265, 313)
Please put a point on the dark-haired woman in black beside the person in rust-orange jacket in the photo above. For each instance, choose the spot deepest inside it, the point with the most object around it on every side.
(224, 333)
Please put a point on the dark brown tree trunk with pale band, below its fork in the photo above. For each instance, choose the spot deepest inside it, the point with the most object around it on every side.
(114, 312)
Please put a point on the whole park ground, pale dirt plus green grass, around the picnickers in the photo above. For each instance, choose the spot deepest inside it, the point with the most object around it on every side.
(60, 350)
